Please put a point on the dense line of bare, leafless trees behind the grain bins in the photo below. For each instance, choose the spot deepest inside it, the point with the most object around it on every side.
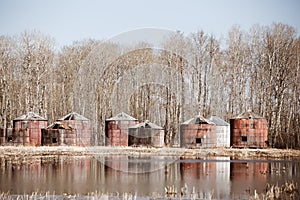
(258, 69)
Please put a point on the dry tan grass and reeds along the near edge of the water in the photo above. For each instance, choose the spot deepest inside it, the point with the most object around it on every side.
(288, 190)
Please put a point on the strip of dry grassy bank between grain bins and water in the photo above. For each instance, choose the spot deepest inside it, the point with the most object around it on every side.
(21, 151)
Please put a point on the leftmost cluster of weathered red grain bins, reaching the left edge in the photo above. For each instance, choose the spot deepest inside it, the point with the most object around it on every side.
(33, 130)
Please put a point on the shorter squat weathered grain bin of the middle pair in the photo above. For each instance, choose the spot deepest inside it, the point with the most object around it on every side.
(147, 134)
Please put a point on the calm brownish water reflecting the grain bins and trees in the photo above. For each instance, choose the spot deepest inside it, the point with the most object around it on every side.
(146, 176)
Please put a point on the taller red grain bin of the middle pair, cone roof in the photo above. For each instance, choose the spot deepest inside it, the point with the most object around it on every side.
(116, 129)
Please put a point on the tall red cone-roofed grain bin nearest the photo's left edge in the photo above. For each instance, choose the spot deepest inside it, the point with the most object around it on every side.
(27, 129)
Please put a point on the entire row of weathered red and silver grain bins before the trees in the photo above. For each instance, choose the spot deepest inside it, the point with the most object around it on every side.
(246, 130)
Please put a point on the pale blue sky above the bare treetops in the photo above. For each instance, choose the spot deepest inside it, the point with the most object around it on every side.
(70, 20)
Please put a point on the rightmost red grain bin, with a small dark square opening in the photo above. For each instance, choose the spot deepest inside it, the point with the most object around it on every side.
(249, 130)
